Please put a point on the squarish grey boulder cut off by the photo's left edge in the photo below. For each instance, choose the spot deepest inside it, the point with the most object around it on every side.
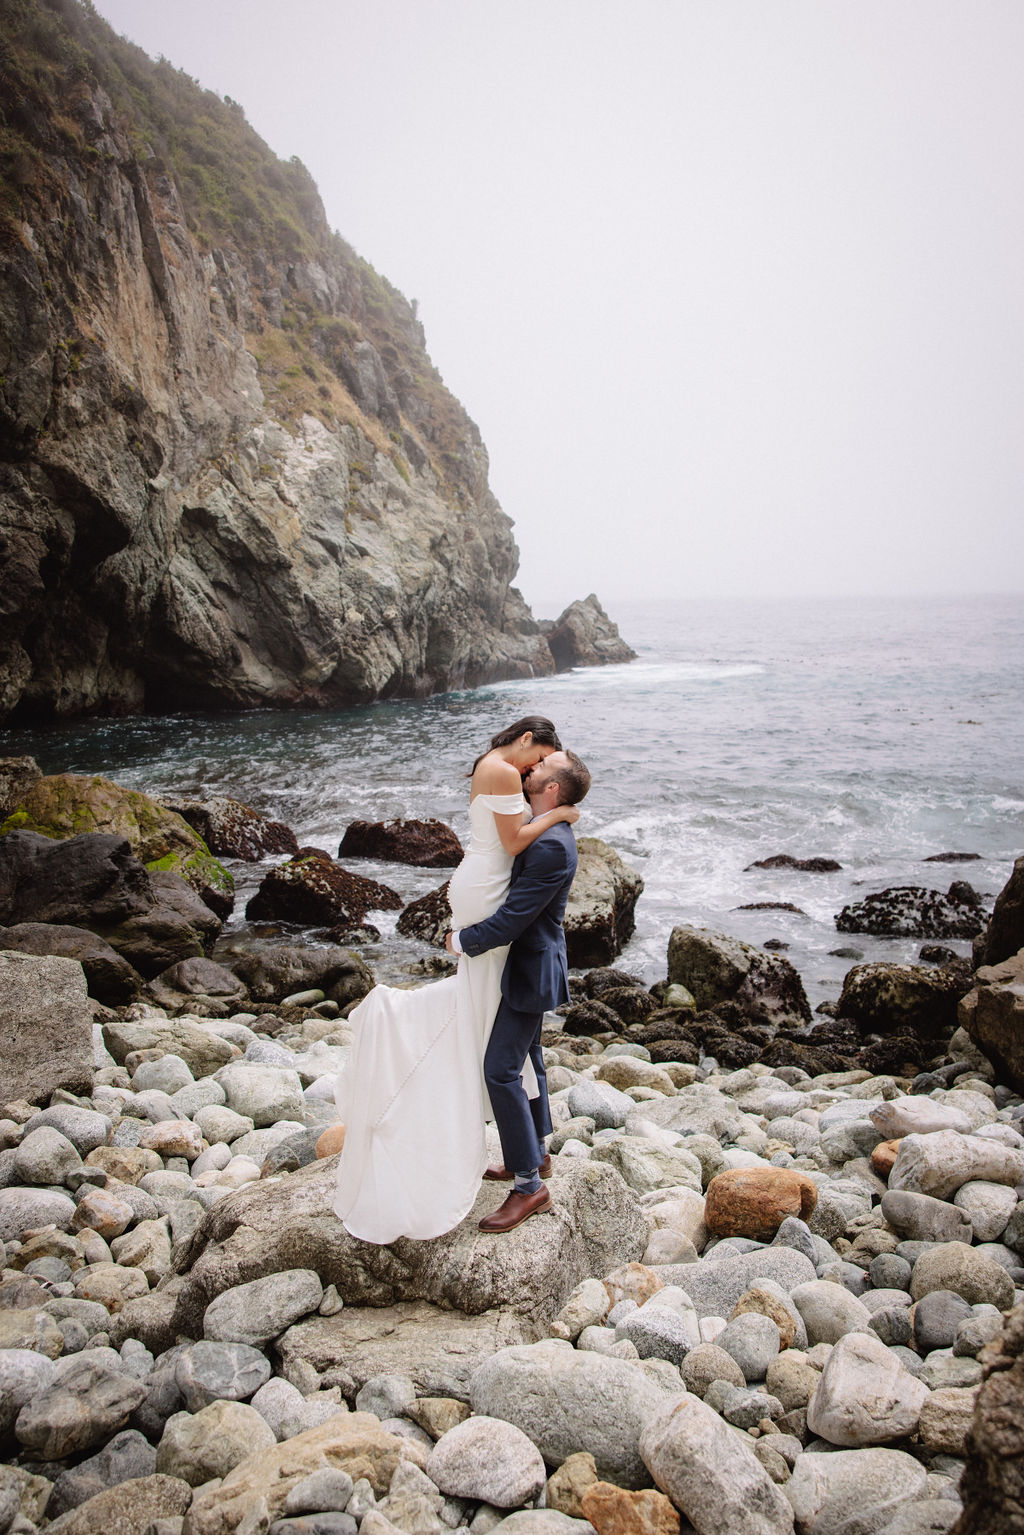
(45, 1026)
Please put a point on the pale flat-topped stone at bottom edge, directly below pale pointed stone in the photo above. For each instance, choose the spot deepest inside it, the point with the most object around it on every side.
(860, 1490)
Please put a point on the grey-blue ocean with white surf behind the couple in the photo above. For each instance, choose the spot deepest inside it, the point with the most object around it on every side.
(874, 731)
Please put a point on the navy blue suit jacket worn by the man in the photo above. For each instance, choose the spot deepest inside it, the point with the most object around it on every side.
(530, 920)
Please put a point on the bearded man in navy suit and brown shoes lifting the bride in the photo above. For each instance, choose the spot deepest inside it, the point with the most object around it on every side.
(535, 980)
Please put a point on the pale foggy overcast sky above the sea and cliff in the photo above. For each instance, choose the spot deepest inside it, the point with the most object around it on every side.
(735, 289)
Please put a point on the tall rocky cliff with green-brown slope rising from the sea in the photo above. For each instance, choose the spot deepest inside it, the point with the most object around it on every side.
(230, 474)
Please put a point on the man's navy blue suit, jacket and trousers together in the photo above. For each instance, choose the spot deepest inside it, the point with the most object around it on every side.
(535, 979)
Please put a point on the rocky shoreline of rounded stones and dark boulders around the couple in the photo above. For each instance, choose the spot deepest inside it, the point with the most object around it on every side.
(781, 1289)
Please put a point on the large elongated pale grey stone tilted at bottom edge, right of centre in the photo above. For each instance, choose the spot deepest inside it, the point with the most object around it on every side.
(710, 1474)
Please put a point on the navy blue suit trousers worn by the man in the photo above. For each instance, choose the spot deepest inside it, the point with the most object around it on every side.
(521, 1121)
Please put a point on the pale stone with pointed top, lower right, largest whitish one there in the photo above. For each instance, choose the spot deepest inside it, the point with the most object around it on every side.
(865, 1395)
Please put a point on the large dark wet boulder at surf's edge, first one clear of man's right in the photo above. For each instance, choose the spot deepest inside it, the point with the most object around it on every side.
(719, 969)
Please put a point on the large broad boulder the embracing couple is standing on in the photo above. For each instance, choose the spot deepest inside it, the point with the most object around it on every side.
(289, 1223)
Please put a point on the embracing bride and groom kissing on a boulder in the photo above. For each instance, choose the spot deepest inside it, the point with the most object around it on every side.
(431, 1066)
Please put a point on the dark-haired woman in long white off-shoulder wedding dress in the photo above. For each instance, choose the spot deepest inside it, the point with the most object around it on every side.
(412, 1094)
